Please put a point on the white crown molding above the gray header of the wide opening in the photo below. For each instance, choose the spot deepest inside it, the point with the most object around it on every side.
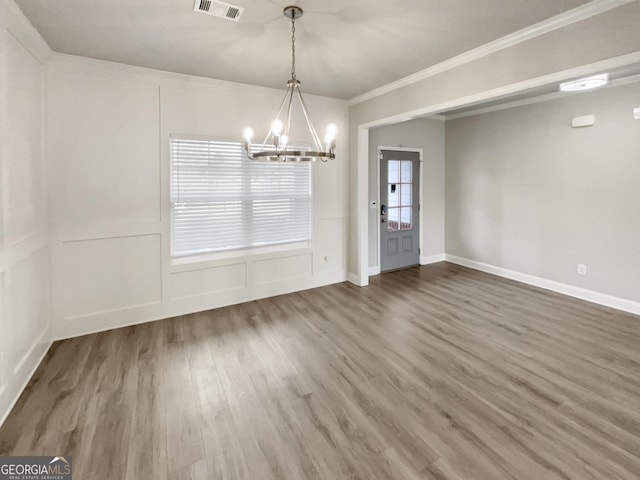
(595, 7)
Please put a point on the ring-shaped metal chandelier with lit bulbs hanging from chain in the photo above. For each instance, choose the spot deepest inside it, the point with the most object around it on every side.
(276, 143)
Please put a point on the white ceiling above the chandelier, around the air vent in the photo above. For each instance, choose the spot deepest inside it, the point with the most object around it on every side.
(344, 48)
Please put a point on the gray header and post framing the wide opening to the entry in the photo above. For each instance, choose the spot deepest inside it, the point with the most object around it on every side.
(605, 37)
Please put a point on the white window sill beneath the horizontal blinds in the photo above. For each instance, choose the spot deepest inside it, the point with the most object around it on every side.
(206, 260)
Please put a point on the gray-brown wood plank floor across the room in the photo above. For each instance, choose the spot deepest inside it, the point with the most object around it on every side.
(437, 372)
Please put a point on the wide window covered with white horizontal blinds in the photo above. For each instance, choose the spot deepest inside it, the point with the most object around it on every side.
(220, 200)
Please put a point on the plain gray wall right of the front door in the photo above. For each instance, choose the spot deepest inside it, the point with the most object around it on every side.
(526, 192)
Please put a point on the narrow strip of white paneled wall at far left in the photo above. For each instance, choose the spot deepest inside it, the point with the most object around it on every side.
(24, 241)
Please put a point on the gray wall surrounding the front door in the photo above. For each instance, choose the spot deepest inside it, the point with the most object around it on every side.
(426, 134)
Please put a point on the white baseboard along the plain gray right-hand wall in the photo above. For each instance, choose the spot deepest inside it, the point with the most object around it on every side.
(566, 289)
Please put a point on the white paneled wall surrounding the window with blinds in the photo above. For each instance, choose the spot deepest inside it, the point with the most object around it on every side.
(109, 128)
